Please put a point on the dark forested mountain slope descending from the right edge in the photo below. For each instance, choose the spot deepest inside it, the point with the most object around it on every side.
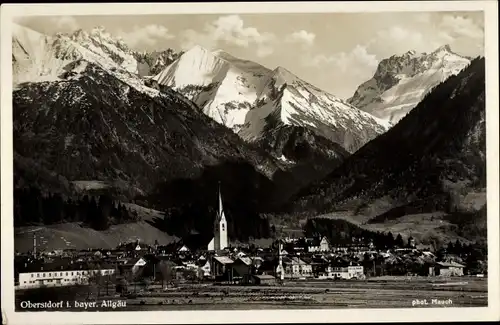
(432, 160)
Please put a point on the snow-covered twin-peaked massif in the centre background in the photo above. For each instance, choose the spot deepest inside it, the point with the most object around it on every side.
(252, 99)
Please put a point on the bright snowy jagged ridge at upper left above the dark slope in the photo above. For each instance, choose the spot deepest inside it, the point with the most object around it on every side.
(38, 57)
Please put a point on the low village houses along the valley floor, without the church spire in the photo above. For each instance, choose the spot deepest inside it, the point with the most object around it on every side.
(298, 258)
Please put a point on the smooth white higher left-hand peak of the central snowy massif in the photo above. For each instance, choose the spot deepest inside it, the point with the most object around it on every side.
(224, 86)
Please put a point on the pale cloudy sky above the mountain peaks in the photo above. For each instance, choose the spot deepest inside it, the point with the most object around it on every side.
(333, 51)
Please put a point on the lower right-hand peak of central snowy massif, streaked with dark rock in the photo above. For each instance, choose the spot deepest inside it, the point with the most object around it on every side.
(287, 100)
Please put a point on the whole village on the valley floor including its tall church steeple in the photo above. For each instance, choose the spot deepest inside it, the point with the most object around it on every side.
(133, 268)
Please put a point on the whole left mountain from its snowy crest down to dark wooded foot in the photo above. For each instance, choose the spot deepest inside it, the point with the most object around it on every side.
(82, 116)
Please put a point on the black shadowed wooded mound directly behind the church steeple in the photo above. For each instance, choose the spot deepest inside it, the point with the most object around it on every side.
(192, 204)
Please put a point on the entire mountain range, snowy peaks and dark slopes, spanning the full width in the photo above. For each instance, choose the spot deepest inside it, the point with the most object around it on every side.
(163, 128)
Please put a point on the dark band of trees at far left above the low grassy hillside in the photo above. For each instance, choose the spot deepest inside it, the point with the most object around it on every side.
(31, 206)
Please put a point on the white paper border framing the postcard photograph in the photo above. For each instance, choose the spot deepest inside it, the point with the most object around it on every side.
(492, 312)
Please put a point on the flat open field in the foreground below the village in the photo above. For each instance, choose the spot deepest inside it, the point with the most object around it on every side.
(384, 292)
